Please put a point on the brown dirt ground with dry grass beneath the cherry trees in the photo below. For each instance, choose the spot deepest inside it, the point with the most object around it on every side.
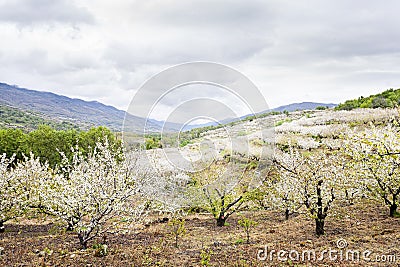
(363, 229)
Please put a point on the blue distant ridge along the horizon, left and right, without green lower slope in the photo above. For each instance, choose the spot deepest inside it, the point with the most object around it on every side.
(94, 113)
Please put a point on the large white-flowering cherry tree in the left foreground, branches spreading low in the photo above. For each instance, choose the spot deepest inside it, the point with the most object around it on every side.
(90, 192)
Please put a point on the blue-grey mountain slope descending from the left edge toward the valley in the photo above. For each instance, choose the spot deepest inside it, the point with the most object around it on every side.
(75, 111)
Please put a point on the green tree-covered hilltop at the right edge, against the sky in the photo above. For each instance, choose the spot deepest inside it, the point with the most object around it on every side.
(387, 99)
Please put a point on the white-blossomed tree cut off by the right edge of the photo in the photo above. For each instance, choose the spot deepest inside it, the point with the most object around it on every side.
(376, 156)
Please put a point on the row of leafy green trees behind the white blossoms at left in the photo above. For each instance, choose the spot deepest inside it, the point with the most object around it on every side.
(47, 142)
